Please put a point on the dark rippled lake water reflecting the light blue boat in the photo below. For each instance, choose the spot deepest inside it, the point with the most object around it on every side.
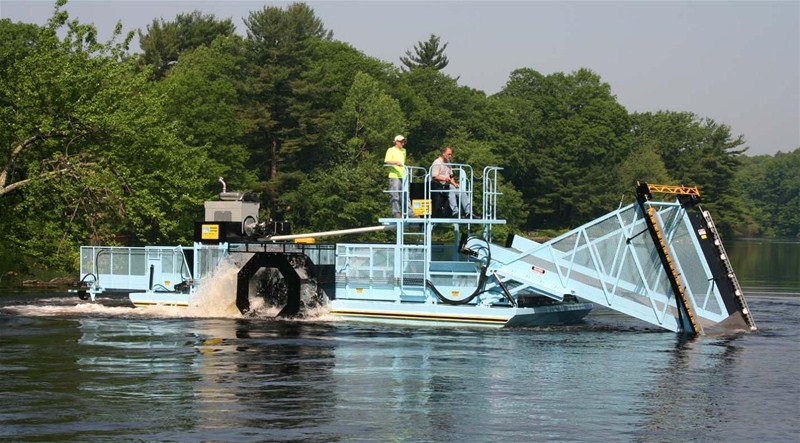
(74, 371)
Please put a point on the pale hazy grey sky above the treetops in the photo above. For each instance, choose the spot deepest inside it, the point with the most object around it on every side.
(735, 62)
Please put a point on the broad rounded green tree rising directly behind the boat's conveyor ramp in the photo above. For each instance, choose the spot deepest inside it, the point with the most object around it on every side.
(572, 136)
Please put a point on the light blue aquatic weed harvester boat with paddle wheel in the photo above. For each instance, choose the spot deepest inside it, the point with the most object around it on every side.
(660, 262)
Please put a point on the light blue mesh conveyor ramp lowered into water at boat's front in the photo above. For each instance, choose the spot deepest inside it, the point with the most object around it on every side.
(660, 262)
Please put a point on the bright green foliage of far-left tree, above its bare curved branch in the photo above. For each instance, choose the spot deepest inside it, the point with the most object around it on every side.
(50, 94)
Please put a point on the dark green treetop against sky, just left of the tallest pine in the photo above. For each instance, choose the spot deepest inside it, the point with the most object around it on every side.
(165, 41)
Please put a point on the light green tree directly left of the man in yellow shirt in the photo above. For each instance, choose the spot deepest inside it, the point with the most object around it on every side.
(346, 189)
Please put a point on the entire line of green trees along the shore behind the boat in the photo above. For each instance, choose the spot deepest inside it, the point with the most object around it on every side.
(103, 145)
